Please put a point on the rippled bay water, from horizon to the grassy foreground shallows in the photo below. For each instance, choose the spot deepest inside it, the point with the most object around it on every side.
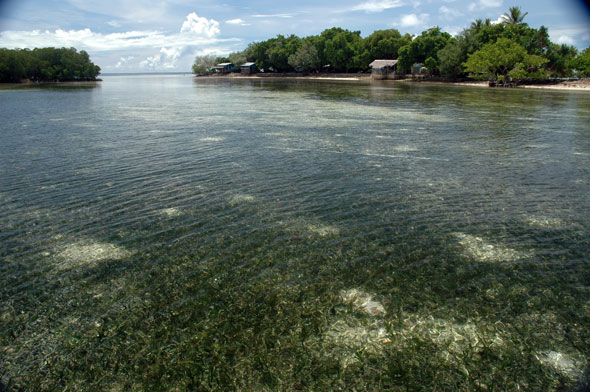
(161, 231)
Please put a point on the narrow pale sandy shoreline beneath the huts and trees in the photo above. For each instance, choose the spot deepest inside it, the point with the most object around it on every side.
(569, 85)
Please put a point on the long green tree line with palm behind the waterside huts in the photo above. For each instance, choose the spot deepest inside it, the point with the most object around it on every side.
(485, 50)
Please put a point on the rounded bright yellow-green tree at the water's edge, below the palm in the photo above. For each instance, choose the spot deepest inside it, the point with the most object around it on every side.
(504, 61)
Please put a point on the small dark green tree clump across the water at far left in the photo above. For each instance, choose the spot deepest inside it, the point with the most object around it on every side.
(46, 64)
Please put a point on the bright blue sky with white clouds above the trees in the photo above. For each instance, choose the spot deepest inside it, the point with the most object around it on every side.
(165, 36)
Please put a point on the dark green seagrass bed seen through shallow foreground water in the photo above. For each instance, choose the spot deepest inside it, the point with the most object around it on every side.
(248, 316)
